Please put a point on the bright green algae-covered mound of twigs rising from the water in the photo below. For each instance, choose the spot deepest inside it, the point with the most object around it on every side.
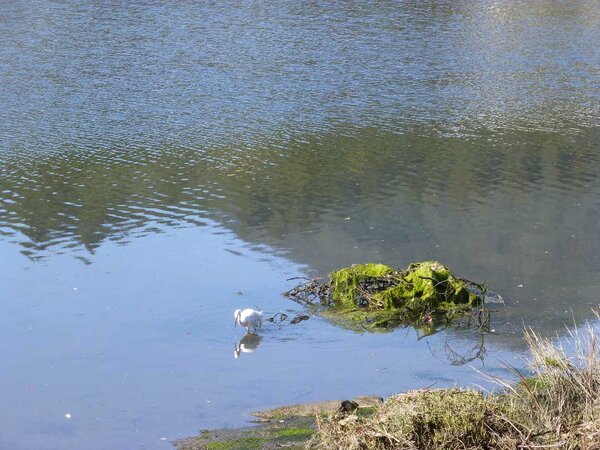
(379, 297)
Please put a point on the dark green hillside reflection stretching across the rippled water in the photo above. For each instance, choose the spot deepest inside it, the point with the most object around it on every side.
(519, 211)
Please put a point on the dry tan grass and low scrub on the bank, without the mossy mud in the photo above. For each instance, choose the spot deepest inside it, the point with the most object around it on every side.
(557, 407)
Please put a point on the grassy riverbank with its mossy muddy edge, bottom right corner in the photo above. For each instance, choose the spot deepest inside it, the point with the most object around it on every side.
(557, 405)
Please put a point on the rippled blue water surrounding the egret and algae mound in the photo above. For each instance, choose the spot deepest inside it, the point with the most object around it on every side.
(161, 166)
